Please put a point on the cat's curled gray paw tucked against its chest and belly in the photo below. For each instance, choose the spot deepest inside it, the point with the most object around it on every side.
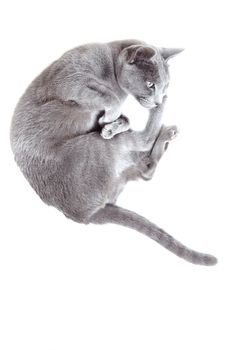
(118, 126)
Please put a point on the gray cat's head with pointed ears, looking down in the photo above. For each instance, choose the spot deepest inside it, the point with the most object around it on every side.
(144, 73)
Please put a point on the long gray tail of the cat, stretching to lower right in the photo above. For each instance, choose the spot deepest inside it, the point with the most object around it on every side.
(117, 215)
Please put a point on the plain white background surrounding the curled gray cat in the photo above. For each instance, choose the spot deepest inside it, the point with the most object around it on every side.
(67, 286)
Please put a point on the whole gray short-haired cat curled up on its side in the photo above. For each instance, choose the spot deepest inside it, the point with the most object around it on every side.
(55, 133)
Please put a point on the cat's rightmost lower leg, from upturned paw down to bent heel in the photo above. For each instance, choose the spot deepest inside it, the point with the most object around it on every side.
(167, 134)
